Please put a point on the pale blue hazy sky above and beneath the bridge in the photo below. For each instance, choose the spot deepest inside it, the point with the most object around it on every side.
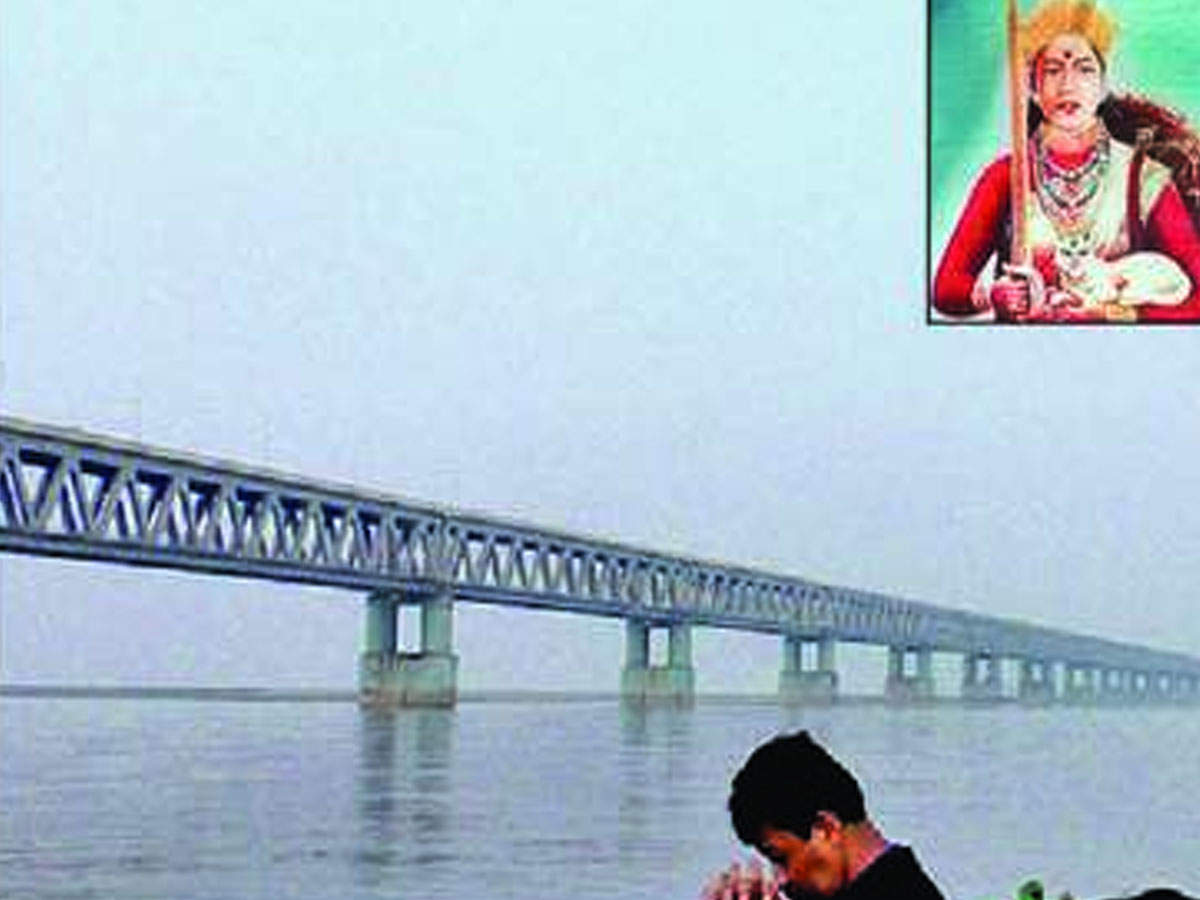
(645, 271)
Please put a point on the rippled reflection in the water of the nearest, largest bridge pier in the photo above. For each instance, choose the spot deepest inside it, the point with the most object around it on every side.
(404, 795)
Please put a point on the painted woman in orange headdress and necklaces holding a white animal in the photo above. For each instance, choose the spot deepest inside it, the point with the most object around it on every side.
(1113, 203)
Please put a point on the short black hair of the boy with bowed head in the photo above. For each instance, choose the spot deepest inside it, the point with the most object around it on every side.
(785, 784)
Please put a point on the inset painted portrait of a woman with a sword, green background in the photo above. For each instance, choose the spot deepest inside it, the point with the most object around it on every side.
(1064, 163)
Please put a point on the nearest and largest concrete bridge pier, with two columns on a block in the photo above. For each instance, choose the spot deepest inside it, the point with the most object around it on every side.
(389, 677)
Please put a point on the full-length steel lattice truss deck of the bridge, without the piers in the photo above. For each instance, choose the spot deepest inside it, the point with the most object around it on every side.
(69, 494)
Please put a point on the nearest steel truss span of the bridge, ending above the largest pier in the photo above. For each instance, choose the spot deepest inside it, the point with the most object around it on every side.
(67, 495)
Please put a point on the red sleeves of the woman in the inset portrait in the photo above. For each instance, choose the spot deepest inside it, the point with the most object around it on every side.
(981, 232)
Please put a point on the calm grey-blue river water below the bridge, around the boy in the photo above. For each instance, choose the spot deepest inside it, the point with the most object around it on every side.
(173, 799)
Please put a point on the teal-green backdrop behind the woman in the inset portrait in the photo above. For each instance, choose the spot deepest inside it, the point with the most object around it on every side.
(1156, 53)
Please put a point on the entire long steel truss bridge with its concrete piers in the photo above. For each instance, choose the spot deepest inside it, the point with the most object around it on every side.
(74, 495)
